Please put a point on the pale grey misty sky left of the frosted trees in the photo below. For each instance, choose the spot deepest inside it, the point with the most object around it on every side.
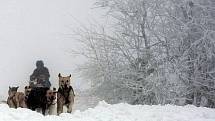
(38, 29)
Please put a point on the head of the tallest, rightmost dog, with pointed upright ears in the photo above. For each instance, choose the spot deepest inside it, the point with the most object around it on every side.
(64, 82)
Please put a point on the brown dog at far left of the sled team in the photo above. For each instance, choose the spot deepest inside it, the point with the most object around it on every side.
(16, 99)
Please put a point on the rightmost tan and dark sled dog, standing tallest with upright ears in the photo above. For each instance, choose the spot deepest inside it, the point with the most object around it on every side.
(65, 95)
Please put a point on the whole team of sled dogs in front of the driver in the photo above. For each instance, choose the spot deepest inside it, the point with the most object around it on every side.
(43, 98)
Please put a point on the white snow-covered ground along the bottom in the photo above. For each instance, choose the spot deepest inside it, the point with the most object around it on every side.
(116, 112)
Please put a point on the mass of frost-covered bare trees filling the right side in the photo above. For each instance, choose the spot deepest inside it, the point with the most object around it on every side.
(156, 52)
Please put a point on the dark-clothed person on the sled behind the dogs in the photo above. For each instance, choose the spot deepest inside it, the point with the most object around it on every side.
(40, 76)
